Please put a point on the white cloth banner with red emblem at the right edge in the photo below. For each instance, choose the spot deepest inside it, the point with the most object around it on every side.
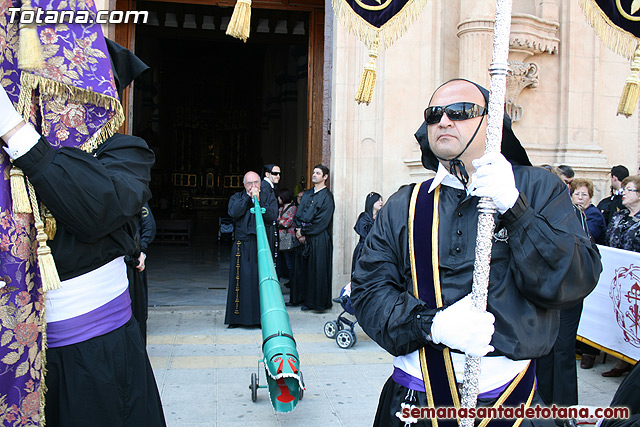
(611, 313)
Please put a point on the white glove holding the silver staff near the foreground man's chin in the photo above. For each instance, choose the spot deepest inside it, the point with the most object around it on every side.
(494, 178)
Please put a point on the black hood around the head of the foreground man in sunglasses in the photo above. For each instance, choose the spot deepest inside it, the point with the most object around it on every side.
(510, 148)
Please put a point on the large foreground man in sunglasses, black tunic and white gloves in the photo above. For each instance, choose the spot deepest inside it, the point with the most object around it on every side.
(411, 286)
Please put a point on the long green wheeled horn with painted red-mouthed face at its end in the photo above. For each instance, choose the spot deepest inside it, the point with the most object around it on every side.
(280, 355)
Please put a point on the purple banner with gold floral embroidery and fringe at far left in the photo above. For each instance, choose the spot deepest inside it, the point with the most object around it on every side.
(72, 101)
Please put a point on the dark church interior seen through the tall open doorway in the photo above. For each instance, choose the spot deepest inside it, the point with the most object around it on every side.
(212, 107)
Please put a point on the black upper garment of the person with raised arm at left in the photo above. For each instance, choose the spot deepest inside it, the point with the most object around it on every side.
(96, 199)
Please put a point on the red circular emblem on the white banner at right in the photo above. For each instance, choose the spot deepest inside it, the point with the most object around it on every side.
(625, 294)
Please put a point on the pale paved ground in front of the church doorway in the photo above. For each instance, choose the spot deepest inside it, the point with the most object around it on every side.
(203, 369)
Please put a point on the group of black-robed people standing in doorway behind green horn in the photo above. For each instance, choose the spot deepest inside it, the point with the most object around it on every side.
(299, 238)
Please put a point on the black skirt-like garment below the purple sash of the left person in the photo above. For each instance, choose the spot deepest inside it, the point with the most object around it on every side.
(106, 381)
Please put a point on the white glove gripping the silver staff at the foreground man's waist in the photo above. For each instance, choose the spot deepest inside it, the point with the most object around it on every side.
(459, 326)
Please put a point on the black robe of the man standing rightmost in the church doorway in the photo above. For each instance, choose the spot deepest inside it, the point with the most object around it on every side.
(314, 258)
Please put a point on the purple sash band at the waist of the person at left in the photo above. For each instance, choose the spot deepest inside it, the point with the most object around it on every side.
(96, 322)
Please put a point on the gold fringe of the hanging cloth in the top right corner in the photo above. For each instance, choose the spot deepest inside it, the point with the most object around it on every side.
(615, 38)
